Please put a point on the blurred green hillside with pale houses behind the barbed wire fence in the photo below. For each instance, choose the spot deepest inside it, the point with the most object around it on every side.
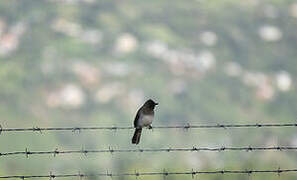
(93, 63)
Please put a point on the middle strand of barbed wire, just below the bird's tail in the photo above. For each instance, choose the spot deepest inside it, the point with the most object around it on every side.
(111, 150)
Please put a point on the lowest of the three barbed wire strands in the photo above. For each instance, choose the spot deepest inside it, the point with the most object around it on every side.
(164, 173)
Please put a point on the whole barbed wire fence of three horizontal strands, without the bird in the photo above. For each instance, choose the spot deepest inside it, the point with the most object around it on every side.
(192, 173)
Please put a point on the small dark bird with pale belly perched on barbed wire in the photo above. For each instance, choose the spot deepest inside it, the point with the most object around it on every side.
(144, 118)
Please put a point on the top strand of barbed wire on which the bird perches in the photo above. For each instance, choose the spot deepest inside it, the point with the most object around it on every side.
(187, 126)
